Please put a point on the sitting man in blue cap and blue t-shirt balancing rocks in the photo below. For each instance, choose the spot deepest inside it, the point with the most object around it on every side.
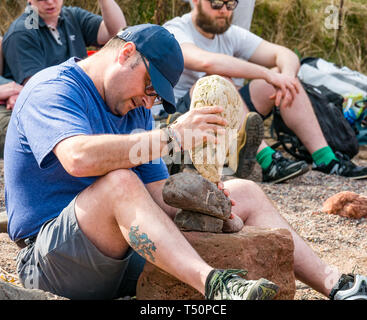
(85, 201)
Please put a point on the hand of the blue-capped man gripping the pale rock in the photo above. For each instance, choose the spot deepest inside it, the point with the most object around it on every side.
(200, 125)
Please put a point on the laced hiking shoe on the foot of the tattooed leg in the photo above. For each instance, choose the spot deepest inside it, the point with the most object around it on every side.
(228, 285)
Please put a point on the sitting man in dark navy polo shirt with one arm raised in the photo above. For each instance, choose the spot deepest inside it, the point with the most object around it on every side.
(49, 33)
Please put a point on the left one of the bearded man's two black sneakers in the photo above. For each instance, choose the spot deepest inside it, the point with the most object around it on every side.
(282, 169)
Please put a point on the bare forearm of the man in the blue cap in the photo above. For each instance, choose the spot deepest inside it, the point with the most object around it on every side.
(96, 155)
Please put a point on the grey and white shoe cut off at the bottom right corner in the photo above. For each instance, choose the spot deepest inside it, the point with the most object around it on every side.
(350, 287)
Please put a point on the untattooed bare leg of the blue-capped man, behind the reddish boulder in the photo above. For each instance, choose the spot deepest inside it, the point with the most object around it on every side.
(256, 209)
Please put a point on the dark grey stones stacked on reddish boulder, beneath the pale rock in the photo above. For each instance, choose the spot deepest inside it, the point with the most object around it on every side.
(203, 207)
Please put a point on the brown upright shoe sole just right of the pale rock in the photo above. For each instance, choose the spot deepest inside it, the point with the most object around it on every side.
(250, 142)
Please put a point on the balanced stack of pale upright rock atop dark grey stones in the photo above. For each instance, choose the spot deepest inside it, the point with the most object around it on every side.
(203, 207)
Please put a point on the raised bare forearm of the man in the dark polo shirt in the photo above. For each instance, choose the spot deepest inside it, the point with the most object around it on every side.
(113, 16)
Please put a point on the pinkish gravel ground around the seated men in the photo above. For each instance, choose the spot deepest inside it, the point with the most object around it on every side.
(341, 242)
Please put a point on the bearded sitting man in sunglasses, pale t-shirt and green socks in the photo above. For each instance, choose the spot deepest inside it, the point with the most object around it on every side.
(211, 45)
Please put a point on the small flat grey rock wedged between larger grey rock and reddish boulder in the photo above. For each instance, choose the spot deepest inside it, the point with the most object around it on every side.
(194, 221)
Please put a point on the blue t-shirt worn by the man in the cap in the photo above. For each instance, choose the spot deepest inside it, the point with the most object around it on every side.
(57, 103)
